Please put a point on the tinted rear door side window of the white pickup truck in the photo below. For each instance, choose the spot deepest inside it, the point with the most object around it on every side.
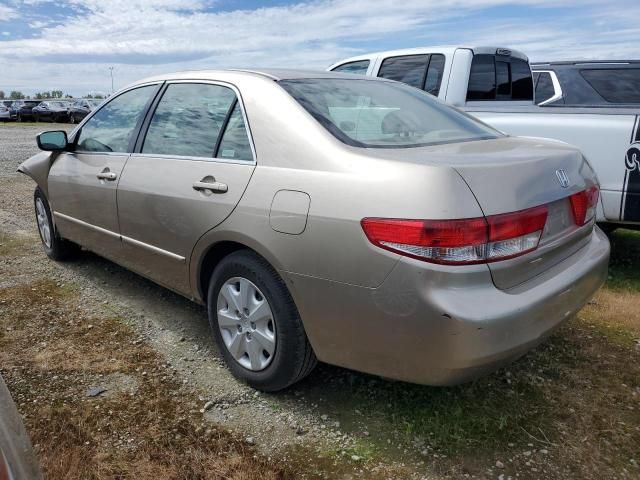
(420, 71)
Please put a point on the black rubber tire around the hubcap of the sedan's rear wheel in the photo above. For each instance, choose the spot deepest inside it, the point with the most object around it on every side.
(290, 344)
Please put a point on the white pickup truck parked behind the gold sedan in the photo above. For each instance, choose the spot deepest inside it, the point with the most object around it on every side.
(496, 86)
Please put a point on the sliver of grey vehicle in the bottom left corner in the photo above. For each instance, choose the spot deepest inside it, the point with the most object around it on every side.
(17, 460)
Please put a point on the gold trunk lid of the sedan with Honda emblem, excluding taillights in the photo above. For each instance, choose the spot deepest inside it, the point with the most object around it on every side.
(513, 174)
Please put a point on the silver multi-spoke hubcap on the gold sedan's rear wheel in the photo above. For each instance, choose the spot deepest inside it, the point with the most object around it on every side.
(246, 324)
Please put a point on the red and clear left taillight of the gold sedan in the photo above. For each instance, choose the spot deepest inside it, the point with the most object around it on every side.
(460, 242)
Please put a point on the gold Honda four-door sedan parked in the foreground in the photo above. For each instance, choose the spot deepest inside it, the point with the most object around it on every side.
(320, 215)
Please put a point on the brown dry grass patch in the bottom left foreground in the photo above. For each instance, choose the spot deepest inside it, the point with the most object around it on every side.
(51, 352)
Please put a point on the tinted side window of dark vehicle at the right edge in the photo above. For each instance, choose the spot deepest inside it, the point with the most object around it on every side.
(615, 85)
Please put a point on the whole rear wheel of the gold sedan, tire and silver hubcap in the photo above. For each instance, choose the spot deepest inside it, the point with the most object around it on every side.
(256, 323)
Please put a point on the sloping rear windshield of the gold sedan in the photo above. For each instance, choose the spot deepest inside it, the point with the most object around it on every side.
(377, 114)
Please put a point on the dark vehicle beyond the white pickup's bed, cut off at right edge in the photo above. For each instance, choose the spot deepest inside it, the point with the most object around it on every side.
(593, 83)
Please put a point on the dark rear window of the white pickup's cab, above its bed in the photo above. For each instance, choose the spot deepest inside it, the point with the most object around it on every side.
(497, 77)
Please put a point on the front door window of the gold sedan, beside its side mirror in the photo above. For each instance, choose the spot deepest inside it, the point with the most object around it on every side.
(112, 127)
